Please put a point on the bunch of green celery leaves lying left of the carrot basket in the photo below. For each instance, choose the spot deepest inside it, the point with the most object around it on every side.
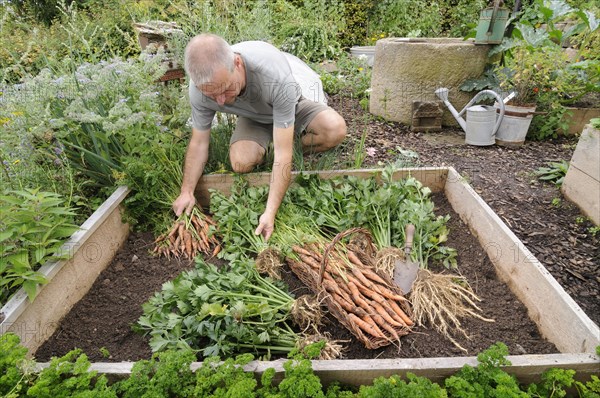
(220, 311)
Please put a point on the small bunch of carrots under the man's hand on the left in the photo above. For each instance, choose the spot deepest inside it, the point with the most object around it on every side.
(190, 235)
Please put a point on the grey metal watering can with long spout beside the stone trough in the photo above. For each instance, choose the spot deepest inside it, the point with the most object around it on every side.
(482, 120)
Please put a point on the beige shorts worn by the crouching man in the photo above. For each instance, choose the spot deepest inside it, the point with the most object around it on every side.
(249, 130)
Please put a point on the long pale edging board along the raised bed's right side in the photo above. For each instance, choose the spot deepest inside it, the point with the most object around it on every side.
(559, 318)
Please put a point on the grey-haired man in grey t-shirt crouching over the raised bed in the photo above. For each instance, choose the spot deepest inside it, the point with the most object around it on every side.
(274, 94)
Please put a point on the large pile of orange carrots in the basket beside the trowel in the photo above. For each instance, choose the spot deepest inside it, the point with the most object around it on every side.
(367, 304)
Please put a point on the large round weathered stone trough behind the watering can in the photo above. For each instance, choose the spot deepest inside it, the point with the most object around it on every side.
(408, 70)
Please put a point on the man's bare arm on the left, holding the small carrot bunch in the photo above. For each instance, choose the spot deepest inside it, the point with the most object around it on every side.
(196, 158)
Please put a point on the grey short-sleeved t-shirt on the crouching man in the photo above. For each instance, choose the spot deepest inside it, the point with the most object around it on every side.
(275, 80)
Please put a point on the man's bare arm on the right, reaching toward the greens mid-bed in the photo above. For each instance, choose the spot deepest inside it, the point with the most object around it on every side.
(283, 143)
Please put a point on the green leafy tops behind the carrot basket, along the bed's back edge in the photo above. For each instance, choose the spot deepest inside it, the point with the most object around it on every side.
(330, 206)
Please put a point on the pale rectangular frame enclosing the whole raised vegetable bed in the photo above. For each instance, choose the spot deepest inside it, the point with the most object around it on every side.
(558, 317)
